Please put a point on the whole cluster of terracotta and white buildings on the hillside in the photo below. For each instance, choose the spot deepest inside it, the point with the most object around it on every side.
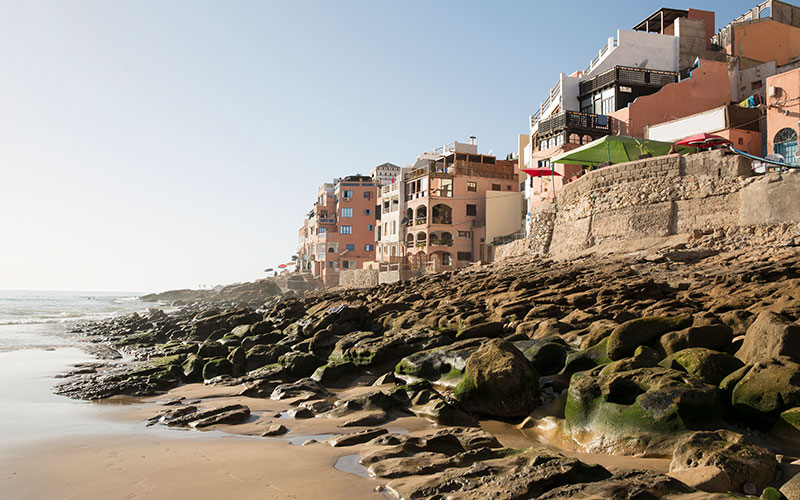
(667, 78)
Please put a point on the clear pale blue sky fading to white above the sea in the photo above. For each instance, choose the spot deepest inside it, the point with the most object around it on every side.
(152, 145)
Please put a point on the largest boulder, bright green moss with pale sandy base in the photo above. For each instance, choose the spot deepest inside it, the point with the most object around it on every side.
(637, 411)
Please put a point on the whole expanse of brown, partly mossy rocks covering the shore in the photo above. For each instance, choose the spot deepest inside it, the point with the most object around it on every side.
(686, 355)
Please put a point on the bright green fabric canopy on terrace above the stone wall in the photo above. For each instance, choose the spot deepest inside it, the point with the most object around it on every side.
(616, 149)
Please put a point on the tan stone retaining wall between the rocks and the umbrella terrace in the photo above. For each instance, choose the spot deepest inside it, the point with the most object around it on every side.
(712, 194)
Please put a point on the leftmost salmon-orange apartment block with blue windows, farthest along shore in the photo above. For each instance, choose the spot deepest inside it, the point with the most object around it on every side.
(339, 232)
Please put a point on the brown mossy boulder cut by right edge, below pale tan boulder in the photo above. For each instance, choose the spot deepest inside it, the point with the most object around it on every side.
(766, 390)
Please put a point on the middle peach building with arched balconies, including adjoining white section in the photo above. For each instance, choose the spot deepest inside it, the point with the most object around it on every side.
(441, 208)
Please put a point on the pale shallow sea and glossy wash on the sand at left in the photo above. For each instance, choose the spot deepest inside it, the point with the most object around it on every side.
(36, 344)
